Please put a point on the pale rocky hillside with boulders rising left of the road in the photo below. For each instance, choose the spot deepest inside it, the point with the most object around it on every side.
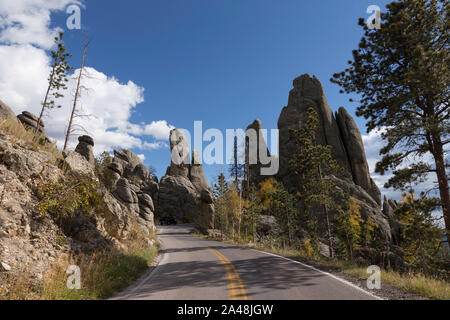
(53, 203)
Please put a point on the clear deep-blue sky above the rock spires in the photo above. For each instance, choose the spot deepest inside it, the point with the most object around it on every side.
(225, 62)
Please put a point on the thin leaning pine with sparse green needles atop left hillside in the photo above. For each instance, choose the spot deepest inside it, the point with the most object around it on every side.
(58, 77)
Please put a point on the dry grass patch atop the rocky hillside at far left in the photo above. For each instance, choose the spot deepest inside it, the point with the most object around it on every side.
(26, 138)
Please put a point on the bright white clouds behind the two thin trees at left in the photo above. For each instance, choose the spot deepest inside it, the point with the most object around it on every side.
(24, 67)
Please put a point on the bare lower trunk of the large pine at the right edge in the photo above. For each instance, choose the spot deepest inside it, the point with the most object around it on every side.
(442, 180)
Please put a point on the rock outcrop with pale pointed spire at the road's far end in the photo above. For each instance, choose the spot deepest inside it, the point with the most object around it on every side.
(184, 192)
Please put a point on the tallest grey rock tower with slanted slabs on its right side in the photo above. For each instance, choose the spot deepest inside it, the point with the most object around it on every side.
(340, 132)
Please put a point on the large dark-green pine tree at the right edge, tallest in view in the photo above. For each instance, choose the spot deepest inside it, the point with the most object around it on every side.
(402, 74)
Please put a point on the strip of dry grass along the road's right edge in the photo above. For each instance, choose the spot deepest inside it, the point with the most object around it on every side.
(415, 283)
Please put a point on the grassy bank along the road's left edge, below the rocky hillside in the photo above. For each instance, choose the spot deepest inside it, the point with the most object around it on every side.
(102, 275)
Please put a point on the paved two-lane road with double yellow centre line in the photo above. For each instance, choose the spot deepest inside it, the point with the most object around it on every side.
(198, 269)
